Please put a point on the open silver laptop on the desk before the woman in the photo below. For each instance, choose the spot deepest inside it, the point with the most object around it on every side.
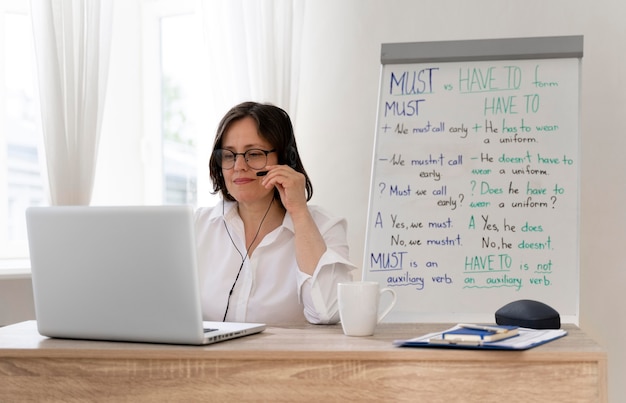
(120, 274)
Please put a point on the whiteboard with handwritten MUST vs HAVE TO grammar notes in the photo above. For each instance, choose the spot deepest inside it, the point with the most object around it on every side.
(474, 193)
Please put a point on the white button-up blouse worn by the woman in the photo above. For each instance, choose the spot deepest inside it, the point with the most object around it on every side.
(270, 288)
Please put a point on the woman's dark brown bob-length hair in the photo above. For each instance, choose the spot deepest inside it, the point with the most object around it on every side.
(274, 125)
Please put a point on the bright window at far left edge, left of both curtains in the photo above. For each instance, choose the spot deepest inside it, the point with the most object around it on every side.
(20, 170)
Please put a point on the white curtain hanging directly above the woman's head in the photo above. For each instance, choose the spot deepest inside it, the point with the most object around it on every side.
(253, 50)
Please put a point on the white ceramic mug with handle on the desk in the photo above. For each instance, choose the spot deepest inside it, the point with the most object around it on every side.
(358, 306)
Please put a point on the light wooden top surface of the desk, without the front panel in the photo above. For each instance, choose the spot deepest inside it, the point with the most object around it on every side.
(310, 341)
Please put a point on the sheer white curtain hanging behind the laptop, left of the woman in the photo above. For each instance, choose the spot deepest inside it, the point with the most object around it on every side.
(72, 42)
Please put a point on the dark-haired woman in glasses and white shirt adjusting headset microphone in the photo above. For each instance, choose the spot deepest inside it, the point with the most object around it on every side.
(264, 254)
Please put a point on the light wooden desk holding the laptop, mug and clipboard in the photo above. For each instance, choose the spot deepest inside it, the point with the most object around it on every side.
(309, 363)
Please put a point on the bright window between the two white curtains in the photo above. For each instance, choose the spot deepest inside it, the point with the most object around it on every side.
(175, 92)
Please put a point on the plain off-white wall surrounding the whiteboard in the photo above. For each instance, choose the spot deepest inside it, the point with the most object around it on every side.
(337, 110)
